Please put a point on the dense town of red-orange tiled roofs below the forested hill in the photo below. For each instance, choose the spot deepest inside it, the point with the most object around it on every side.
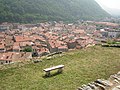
(22, 42)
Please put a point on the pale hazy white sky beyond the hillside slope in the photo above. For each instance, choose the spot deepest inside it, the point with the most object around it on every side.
(110, 3)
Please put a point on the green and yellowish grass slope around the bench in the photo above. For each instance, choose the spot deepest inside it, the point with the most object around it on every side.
(81, 67)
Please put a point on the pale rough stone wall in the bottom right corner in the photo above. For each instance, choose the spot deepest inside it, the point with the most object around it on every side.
(113, 83)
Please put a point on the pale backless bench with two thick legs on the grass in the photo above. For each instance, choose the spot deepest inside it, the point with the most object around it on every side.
(59, 67)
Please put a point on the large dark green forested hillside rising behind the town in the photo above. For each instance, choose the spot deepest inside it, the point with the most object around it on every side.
(40, 10)
